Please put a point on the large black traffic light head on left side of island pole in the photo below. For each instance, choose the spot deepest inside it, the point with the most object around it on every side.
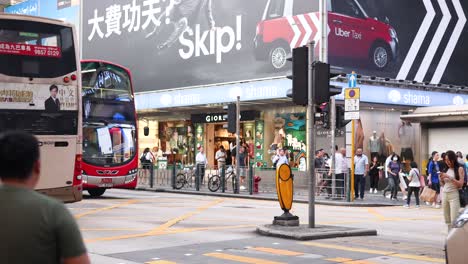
(300, 77)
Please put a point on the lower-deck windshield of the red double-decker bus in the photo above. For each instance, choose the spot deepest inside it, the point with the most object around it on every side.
(106, 145)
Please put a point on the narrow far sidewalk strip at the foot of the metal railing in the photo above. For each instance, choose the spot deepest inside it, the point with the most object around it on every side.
(300, 196)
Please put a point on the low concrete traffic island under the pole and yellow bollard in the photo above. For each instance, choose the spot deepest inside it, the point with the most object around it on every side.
(303, 233)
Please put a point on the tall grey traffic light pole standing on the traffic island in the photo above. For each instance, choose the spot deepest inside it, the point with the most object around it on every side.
(311, 137)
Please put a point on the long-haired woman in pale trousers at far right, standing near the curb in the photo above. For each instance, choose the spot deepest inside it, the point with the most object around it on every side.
(452, 181)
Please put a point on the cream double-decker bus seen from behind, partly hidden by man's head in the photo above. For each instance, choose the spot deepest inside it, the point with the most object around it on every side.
(40, 93)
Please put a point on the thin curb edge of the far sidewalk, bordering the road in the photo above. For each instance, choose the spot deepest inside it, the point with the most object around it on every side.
(255, 197)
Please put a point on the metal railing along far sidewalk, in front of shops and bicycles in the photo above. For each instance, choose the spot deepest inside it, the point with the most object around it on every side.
(252, 180)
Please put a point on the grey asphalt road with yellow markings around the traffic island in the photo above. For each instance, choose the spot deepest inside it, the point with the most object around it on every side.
(146, 227)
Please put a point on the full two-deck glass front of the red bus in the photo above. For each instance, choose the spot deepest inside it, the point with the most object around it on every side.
(108, 114)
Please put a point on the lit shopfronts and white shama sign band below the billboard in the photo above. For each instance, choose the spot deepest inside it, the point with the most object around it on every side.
(270, 121)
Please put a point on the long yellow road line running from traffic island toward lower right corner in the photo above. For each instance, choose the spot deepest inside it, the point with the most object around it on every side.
(376, 252)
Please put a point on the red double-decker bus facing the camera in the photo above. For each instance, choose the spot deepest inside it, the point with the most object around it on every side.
(110, 157)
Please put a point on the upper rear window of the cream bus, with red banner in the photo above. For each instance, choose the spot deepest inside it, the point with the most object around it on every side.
(44, 50)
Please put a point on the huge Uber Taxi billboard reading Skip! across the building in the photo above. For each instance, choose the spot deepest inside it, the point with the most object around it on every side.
(182, 43)
